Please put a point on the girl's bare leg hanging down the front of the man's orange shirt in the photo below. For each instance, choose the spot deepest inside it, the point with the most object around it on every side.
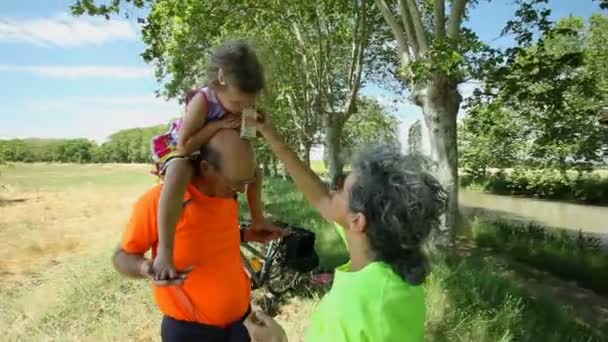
(177, 176)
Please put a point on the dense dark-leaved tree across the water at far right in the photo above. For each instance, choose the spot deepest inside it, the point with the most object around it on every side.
(541, 108)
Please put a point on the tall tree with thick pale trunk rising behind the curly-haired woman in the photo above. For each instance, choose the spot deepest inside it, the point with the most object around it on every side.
(431, 48)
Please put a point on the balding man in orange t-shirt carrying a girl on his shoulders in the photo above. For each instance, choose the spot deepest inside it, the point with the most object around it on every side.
(210, 298)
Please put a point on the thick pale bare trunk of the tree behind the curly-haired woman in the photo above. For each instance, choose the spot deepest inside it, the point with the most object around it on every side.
(440, 102)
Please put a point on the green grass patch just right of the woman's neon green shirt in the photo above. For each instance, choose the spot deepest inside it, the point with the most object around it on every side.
(475, 298)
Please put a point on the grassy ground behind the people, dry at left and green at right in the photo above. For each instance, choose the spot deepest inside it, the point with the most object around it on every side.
(60, 223)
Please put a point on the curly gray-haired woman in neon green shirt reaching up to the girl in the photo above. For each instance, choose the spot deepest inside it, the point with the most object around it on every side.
(384, 211)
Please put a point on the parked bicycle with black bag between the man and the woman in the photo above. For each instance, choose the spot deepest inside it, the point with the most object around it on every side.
(281, 263)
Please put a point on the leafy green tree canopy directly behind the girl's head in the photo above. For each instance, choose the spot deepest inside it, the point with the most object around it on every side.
(317, 53)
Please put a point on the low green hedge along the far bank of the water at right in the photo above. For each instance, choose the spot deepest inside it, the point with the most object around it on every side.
(586, 188)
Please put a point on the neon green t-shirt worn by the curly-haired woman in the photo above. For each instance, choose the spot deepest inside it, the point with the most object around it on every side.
(373, 304)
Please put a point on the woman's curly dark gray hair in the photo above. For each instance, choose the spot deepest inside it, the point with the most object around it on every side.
(402, 204)
